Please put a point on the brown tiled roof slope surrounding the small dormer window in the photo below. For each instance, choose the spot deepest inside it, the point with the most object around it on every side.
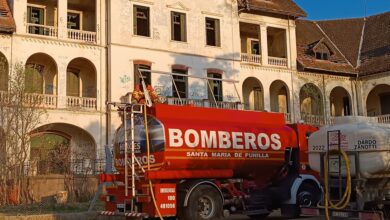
(309, 35)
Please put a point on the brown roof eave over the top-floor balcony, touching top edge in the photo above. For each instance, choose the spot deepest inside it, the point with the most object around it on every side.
(282, 7)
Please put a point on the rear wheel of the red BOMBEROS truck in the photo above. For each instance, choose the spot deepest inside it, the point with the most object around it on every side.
(204, 203)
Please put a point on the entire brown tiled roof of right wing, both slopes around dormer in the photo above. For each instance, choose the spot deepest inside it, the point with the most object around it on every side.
(360, 45)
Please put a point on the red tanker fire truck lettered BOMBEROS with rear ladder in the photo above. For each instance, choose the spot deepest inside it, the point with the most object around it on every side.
(207, 163)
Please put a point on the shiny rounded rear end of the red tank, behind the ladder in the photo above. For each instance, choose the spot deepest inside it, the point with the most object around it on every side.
(156, 136)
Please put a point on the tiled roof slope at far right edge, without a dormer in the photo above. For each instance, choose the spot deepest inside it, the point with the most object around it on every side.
(375, 53)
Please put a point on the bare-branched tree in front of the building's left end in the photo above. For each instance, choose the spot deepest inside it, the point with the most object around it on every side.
(20, 113)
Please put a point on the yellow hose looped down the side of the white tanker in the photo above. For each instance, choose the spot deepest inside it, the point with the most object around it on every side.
(343, 203)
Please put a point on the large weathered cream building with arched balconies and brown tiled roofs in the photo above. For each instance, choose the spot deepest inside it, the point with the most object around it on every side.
(88, 52)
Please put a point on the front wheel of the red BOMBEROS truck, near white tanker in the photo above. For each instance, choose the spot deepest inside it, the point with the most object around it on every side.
(308, 195)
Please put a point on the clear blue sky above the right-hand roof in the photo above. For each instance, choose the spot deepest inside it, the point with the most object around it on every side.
(333, 9)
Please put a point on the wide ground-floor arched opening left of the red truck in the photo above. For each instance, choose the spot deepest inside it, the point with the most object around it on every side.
(60, 148)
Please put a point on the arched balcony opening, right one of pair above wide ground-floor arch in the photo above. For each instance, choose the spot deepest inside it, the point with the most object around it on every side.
(81, 86)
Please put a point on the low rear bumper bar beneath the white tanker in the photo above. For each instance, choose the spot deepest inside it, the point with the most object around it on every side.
(343, 214)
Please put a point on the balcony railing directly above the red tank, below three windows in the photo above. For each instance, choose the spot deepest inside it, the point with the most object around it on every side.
(205, 103)
